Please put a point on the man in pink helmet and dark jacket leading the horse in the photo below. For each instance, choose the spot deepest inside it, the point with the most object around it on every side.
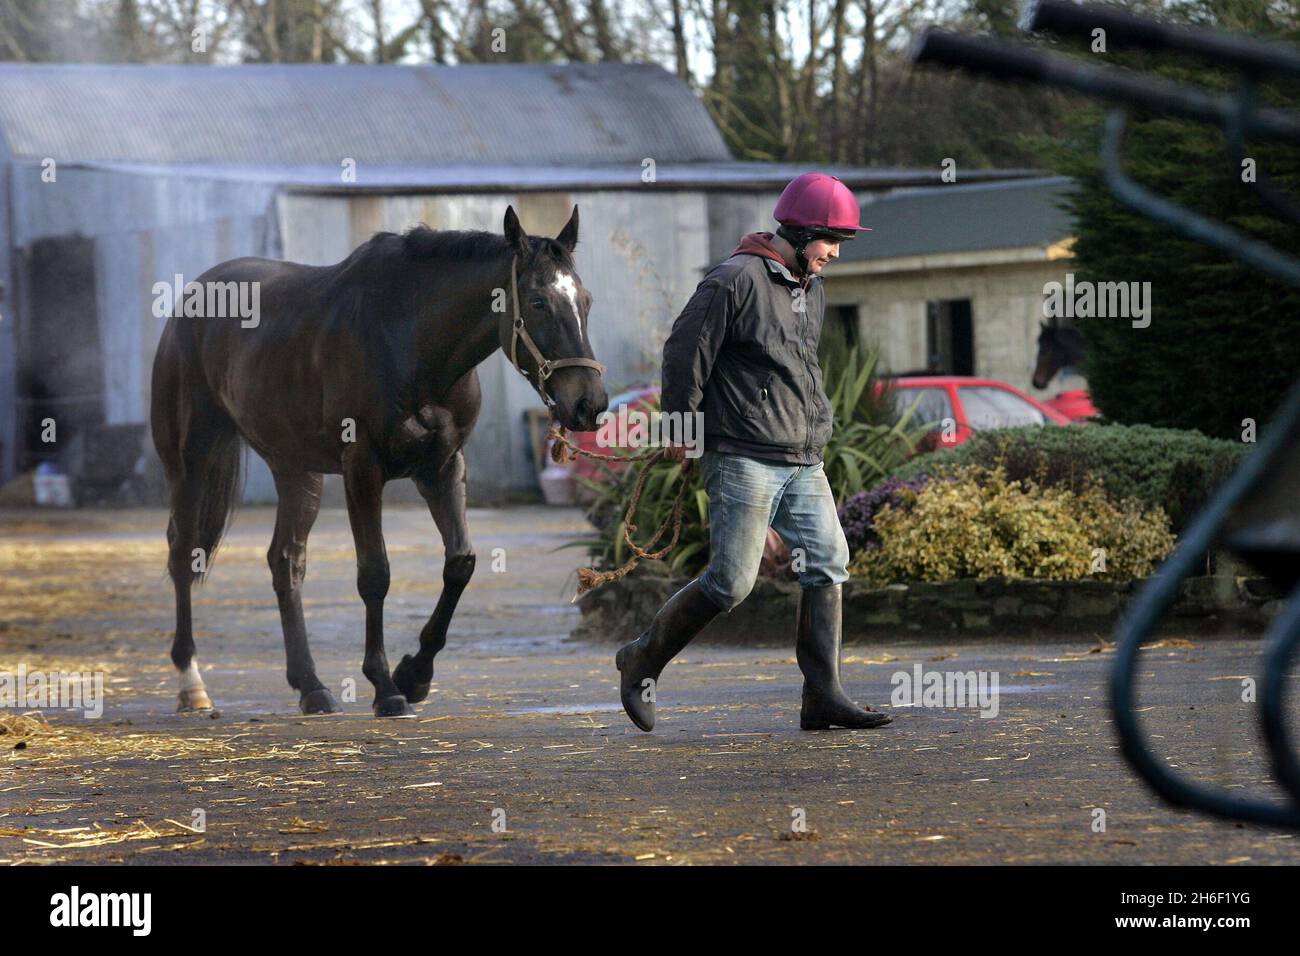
(744, 353)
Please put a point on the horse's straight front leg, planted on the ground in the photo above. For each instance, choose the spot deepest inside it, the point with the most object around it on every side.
(363, 482)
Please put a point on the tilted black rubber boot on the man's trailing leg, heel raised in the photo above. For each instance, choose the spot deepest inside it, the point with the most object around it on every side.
(682, 618)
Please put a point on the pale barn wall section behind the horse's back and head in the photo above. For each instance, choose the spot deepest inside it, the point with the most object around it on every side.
(640, 256)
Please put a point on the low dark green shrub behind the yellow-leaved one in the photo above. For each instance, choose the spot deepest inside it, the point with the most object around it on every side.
(1160, 468)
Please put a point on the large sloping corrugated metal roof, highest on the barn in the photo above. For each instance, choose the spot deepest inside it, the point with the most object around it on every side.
(319, 115)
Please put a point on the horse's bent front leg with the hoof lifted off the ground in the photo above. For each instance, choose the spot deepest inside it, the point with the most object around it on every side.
(445, 495)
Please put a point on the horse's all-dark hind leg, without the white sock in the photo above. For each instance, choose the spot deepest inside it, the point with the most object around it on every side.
(300, 503)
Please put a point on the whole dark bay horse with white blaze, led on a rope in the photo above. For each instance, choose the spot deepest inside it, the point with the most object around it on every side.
(363, 370)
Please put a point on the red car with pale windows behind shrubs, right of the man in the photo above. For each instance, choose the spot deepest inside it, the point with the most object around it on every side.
(969, 405)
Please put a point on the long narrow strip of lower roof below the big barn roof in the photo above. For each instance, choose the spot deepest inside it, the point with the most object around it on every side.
(491, 178)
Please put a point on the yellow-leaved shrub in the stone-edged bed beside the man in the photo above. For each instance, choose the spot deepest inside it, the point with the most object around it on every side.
(985, 525)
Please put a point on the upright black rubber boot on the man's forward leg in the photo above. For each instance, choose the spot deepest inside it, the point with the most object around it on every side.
(818, 652)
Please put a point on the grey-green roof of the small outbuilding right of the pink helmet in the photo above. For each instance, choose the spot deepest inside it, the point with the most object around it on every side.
(964, 218)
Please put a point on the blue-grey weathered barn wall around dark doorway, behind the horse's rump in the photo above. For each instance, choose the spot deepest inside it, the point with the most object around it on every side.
(145, 230)
